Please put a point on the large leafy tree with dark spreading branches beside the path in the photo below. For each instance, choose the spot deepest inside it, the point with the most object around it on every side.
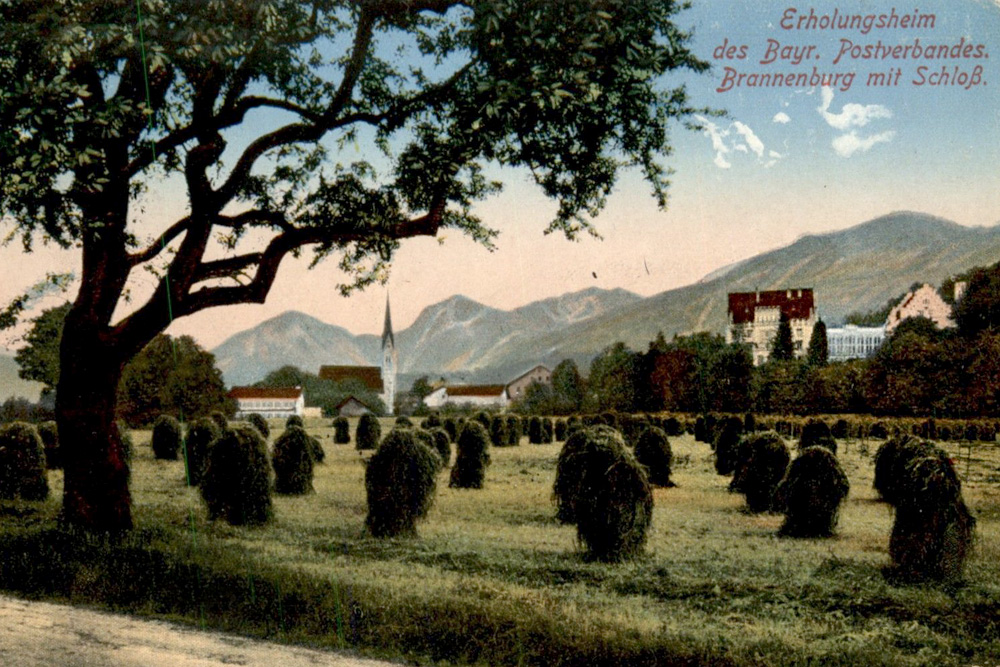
(241, 102)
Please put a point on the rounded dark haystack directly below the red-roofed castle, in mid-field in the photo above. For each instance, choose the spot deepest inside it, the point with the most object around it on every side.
(762, 461)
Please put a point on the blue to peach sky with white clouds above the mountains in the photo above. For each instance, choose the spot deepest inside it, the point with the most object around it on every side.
(845, 139)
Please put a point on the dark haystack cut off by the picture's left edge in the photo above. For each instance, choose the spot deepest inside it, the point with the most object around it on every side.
(22, 463)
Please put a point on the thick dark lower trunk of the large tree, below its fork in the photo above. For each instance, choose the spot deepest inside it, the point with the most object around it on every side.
(96, 491)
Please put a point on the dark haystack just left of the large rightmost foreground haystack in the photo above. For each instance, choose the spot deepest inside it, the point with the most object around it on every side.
(811, 493)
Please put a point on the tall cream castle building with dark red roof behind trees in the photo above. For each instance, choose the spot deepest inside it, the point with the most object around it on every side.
(754, 319)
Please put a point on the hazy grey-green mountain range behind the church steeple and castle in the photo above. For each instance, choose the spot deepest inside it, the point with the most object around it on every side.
(856, 269)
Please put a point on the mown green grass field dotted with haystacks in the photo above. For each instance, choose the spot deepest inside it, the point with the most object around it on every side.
(493, 579)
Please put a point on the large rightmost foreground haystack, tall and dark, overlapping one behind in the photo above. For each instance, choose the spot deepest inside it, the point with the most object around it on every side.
(932, 534)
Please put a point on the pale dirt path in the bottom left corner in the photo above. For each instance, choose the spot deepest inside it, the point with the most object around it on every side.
(40, 633)
